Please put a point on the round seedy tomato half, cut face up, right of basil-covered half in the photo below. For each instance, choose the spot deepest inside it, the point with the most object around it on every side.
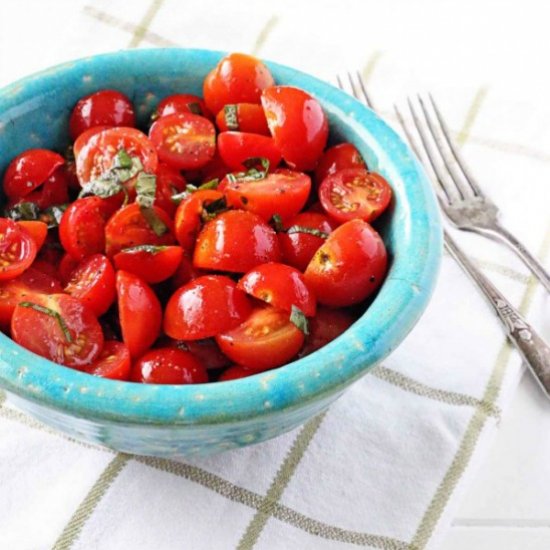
(184, 141)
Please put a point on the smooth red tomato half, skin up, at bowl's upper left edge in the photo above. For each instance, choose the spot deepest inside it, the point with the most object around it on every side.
(29, 170)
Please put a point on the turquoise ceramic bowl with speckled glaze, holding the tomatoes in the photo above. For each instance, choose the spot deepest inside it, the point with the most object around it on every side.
(190, 420)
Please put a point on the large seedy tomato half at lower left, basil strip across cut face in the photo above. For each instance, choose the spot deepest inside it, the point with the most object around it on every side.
(58, 327)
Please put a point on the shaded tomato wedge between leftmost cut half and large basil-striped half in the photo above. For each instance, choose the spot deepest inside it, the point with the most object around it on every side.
(23, 288)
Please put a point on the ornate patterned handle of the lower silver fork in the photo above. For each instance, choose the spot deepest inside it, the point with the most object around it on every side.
(532, 348)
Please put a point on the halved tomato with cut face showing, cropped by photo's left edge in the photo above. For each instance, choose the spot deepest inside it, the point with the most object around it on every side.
(17, 249)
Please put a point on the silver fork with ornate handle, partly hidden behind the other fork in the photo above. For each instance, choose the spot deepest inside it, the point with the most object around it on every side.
(533, 349)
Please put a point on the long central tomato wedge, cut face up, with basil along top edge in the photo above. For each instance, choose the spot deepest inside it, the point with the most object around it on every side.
(283, 192)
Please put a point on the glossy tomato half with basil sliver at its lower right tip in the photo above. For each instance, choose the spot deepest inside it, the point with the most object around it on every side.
(281, 286)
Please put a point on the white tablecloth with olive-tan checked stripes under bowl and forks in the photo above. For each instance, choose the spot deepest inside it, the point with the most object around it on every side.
(385, 466)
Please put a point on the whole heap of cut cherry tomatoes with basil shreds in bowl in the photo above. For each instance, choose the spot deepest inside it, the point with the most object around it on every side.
(225, 240)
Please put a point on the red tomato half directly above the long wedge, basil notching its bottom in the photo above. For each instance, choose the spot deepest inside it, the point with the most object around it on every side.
(236, 147)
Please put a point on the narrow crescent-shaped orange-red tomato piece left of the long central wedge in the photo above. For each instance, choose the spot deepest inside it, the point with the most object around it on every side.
(190, 213)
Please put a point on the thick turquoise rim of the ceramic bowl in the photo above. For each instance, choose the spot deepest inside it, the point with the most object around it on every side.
(405, 294)
